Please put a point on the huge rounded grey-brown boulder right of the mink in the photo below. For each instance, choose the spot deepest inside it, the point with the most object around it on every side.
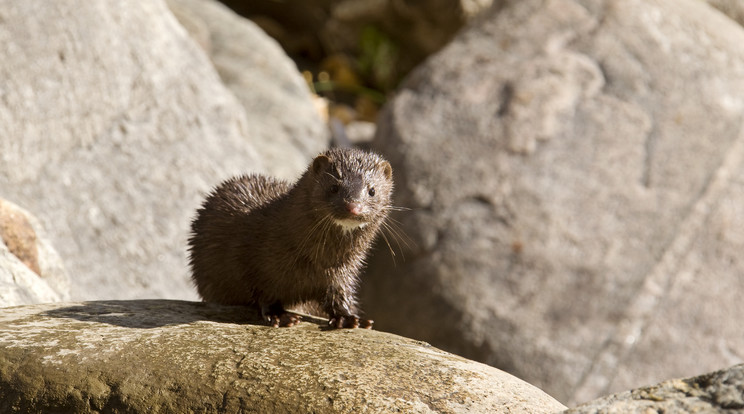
(572, 169)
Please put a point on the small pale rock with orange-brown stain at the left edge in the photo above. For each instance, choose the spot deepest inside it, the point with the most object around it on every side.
(31, 271)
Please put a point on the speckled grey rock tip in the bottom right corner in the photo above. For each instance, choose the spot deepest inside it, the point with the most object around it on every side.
(717, 392)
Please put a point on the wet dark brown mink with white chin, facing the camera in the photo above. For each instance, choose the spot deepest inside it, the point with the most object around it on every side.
(263, 242)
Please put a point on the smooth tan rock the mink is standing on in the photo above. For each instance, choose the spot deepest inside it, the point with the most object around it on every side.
(171, 356)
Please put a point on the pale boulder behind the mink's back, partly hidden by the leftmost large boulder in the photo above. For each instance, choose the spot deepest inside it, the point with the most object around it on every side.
(267, 83)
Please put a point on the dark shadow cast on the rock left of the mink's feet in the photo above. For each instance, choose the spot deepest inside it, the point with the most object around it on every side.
(155, 313)
